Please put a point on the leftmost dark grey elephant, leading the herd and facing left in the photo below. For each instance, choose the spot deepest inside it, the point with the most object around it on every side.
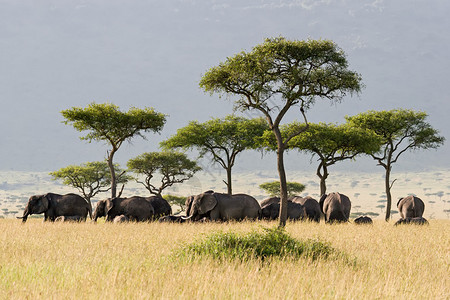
(55, 205)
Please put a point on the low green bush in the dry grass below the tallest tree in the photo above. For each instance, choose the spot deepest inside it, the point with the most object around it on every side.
(273, 242)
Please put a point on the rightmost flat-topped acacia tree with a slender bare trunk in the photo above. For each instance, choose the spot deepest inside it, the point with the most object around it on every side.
(400, 130)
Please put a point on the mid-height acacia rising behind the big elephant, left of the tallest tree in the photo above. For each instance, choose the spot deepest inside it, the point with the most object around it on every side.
(222, 139)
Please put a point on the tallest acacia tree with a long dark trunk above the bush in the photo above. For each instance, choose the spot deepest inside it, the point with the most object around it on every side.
(278, 75)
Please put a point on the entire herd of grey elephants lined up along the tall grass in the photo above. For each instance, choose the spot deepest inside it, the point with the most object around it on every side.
(210, 206)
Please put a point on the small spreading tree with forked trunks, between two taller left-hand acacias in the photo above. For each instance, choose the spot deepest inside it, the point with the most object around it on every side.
(174, 167)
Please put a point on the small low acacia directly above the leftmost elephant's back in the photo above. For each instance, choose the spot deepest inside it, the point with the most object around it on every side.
(90, 178)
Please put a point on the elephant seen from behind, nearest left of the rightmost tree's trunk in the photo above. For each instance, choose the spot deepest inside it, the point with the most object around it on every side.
(336, 207)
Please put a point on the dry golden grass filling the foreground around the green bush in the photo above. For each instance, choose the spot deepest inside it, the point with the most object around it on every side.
(138, 261)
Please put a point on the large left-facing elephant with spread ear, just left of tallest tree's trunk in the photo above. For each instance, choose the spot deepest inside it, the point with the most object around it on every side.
(222, 207)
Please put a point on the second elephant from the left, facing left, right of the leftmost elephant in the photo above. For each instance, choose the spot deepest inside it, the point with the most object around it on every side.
(134, 208)
